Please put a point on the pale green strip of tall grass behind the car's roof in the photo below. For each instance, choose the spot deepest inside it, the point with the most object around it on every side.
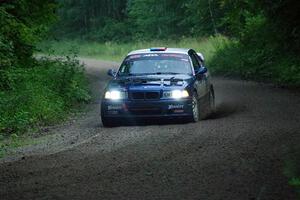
(114, 51)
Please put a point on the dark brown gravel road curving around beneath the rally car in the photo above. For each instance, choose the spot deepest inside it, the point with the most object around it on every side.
(237, 155)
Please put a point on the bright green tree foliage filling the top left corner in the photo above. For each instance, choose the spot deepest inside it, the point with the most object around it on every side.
(23, 23)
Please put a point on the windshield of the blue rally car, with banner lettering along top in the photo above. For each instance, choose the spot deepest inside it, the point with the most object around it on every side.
(155, 63)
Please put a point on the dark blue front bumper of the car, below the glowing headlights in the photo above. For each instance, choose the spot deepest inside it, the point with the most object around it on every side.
(143, 109)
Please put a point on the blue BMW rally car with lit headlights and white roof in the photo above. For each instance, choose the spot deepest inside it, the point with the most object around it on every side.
(159, 83)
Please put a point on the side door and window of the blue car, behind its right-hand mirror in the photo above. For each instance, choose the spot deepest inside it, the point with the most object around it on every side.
(200, 83)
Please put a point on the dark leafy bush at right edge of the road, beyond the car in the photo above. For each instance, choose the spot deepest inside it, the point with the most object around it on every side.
(257, 55)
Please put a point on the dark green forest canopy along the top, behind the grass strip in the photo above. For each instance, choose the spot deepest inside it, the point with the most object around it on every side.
(117, 20)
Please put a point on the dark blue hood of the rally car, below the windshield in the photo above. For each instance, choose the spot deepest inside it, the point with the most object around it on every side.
(151, 82)
